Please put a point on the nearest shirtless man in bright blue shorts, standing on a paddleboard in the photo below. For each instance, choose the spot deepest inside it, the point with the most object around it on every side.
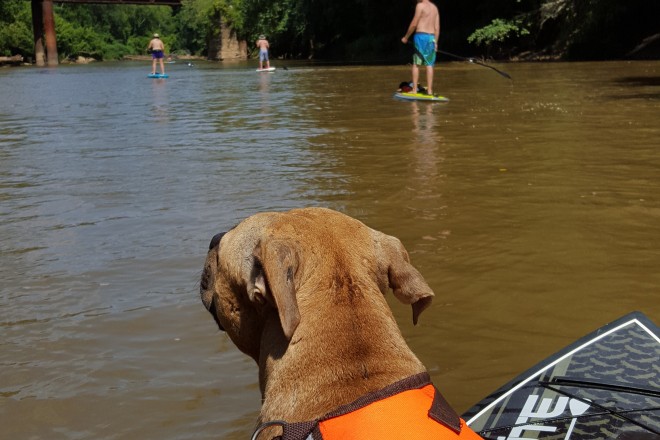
(426, 26)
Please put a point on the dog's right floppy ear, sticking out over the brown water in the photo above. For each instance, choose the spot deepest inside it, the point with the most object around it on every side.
(406, 282)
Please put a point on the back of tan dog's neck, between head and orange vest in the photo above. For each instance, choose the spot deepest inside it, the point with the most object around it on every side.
(322, 370)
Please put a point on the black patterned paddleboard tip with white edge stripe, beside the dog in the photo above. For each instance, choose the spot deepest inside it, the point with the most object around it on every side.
(606, 385)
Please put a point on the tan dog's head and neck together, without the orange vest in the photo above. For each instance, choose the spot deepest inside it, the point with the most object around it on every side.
(302, 293)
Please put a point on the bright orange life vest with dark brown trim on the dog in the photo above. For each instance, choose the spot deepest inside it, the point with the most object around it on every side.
(411, 409)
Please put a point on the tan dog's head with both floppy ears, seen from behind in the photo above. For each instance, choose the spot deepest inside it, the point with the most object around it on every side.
(270, 264)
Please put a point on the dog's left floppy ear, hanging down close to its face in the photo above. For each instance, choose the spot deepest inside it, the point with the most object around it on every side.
(272, 280)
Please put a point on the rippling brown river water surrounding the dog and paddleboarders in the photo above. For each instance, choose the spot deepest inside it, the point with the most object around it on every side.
(532, 208)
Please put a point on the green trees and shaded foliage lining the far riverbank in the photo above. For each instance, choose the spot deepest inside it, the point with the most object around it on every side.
(355, 29)
